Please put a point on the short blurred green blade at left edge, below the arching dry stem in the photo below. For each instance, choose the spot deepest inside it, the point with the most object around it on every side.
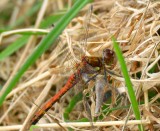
(13, 47)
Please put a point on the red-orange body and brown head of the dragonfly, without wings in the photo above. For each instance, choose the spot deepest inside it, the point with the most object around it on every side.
(88, 66)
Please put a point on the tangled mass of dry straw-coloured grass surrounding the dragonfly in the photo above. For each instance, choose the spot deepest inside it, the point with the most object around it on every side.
(136, 26)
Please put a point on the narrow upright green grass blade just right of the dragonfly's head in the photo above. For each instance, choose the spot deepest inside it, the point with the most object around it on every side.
(130, 89)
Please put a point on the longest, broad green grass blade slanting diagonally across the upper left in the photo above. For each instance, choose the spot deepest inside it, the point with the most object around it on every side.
(45, 44)
